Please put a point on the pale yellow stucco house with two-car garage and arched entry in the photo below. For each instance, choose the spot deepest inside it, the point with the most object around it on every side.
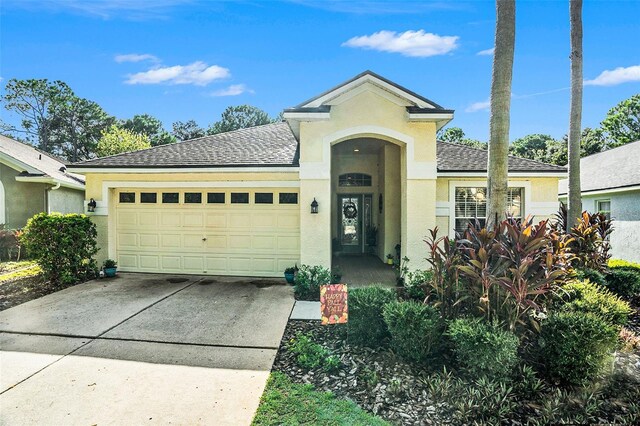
(364, 154)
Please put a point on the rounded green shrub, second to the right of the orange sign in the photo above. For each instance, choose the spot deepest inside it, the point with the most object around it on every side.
(415, 329)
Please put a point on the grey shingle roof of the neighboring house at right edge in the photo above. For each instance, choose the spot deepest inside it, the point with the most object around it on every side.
(616, 168)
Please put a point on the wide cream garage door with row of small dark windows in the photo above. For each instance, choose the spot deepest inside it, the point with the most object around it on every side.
(218, 232)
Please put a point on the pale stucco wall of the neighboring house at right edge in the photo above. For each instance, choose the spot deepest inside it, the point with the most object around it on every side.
(625, 212)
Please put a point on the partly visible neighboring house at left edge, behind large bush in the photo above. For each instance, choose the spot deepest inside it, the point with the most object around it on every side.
(32, 182)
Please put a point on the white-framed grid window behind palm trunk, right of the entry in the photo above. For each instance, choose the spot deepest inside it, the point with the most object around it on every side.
(471, 204)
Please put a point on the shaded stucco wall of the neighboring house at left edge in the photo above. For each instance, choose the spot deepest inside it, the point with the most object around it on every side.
(22, 199)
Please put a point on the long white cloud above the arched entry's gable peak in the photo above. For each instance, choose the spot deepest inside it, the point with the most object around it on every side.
(408, 43)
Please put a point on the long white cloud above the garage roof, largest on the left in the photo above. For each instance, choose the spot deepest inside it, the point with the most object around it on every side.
(197, 73)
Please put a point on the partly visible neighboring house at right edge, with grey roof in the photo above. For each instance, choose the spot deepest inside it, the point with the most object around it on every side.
(610, 183)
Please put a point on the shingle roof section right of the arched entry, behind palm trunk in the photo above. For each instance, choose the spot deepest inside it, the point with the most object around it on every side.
(461, 158)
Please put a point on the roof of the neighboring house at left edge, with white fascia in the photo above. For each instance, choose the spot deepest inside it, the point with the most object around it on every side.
(35, 165)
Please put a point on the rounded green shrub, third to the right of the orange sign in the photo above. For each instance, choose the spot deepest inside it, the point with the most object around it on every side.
(482, 349)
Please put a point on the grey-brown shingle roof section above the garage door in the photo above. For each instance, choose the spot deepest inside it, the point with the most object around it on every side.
(265, 146)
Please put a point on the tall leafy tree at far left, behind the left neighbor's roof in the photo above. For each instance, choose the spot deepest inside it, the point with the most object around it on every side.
(33, 100)
